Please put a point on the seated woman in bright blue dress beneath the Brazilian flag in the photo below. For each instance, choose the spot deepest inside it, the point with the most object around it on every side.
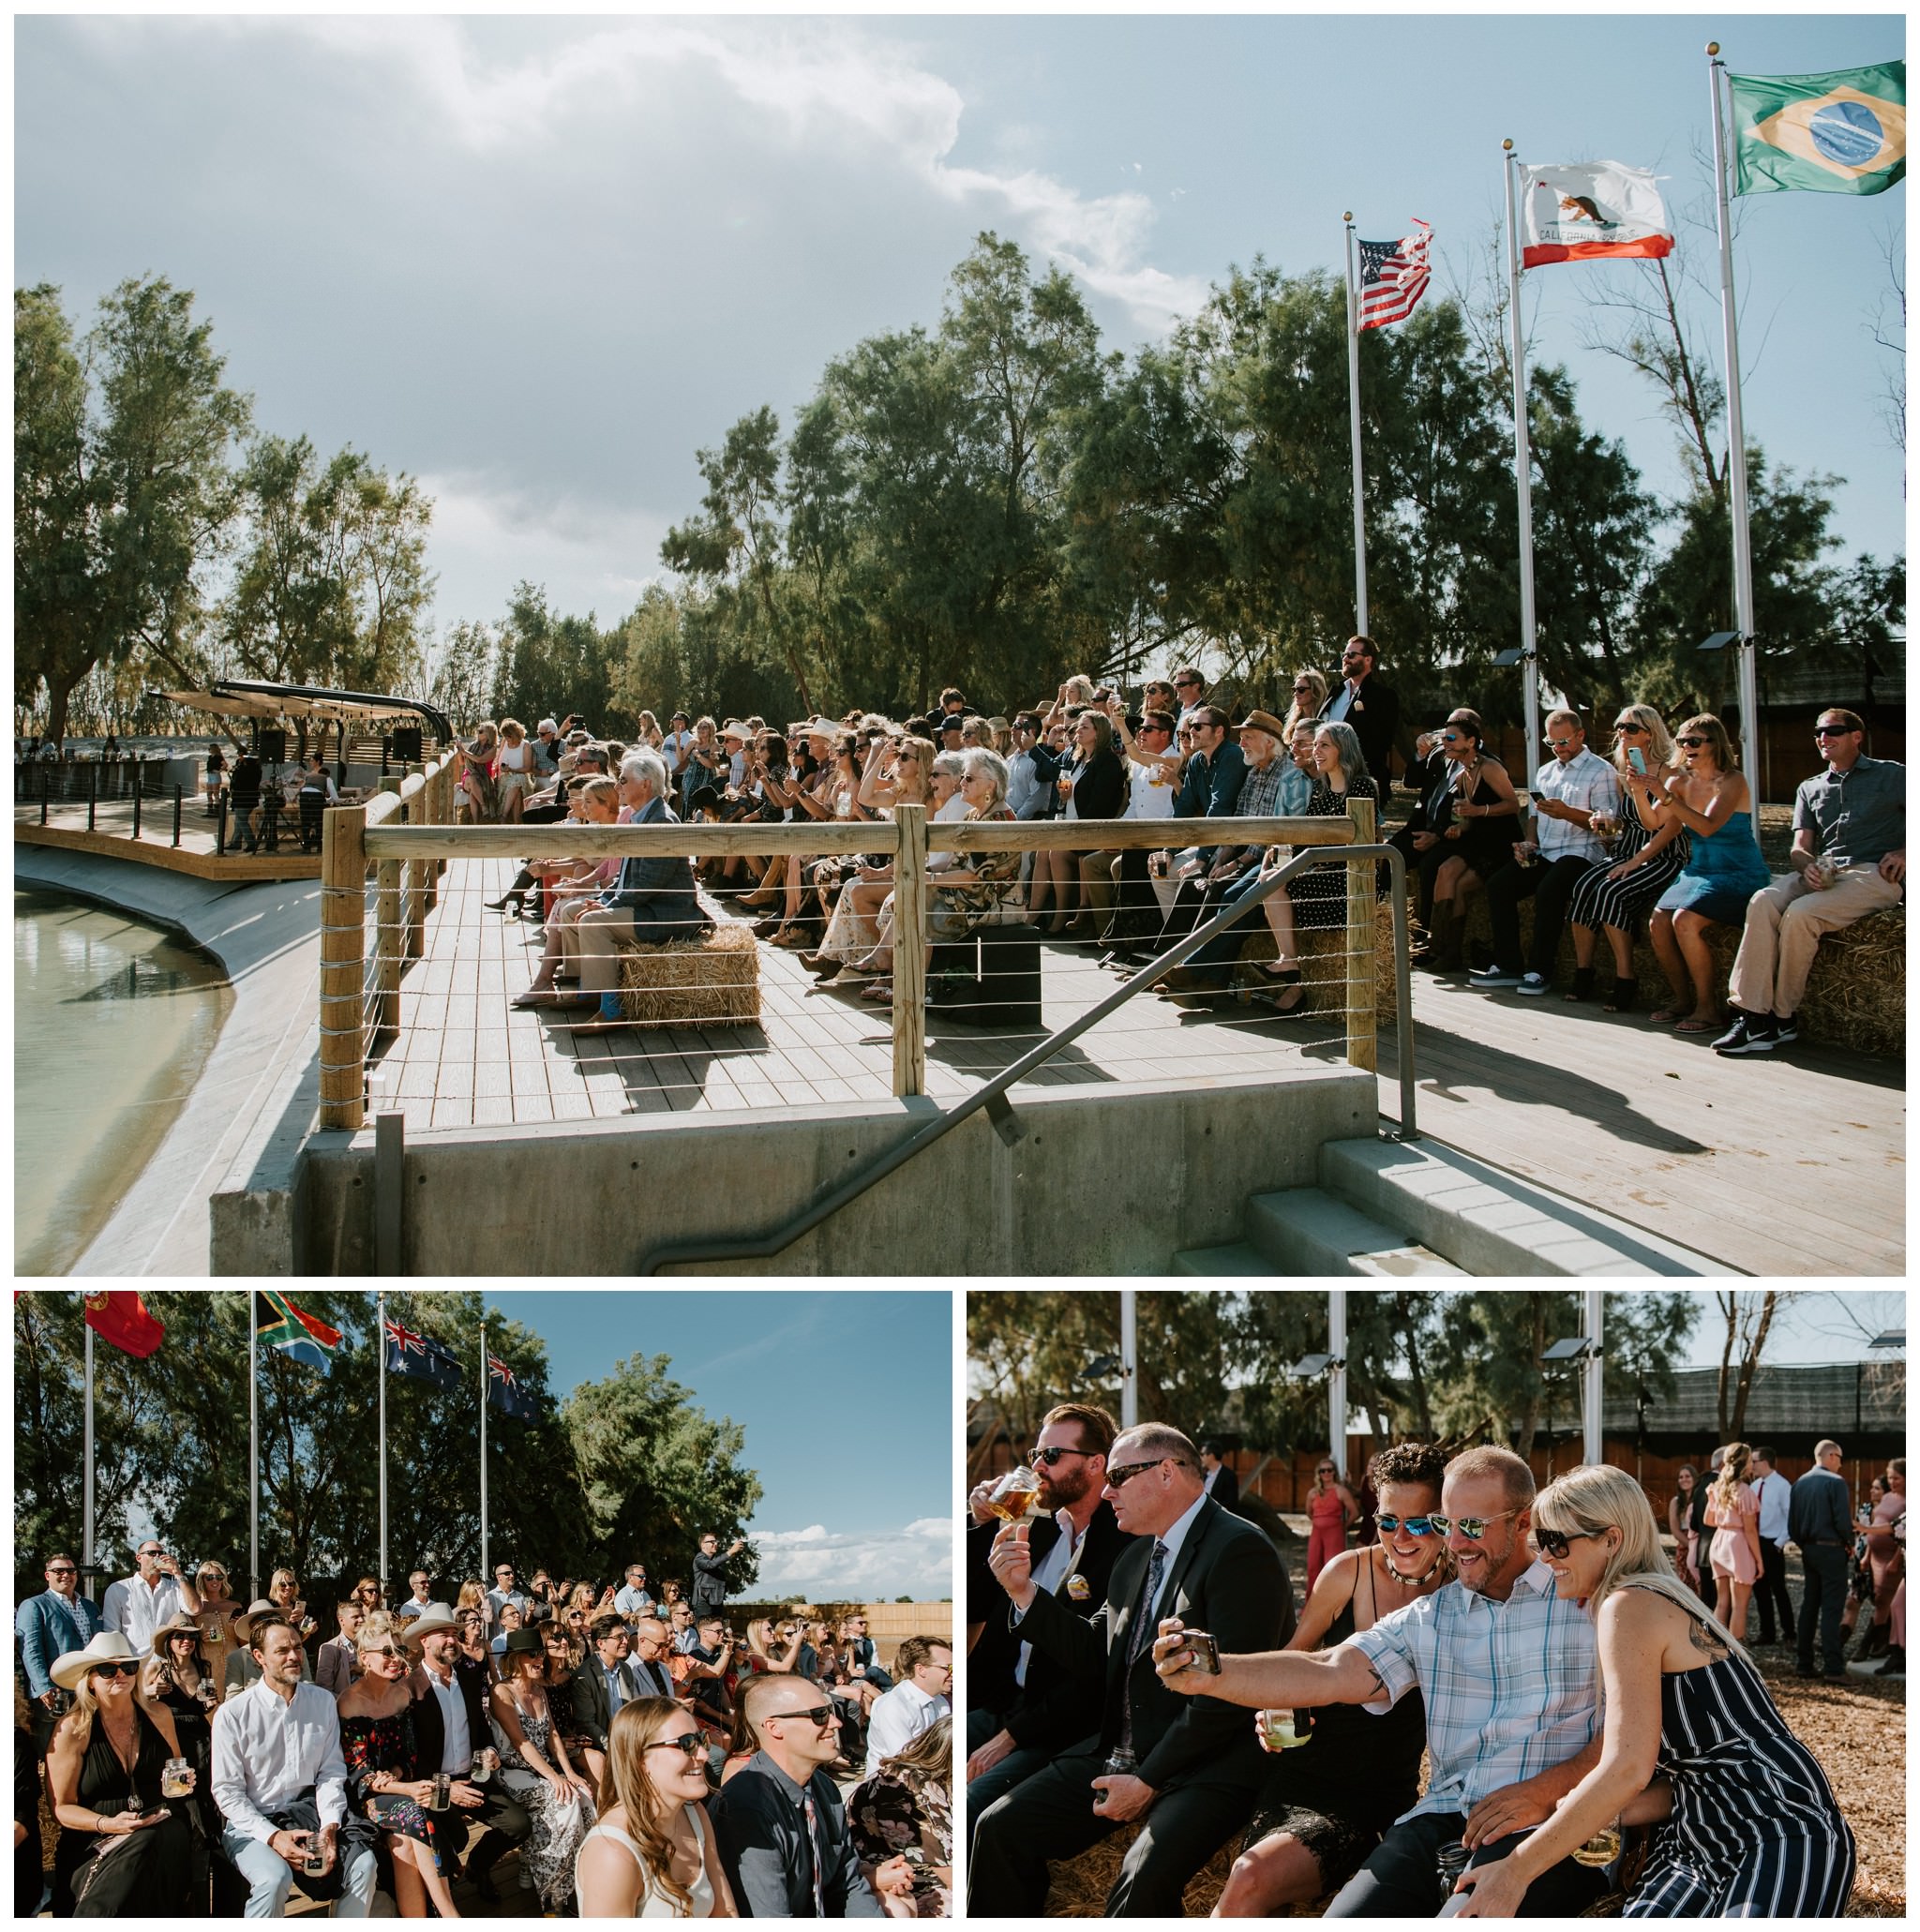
(1724, 867)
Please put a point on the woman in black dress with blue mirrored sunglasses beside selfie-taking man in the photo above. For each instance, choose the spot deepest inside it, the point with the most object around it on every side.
(1326, 1804)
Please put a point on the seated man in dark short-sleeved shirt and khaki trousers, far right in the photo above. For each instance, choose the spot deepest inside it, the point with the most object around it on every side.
(1849, 859)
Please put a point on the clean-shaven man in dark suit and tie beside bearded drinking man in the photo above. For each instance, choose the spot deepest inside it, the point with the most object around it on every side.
(1195, 1769)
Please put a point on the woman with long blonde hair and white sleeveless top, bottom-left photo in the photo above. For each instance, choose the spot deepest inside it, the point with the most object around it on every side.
(654, 1856)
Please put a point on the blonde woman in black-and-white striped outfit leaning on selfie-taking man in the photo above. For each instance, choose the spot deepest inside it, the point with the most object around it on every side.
(1747, 1825)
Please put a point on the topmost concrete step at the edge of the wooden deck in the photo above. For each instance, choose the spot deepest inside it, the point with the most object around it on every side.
(1488, 1222)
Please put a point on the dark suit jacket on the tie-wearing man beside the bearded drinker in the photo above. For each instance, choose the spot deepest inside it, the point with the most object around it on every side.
(1228, 1579)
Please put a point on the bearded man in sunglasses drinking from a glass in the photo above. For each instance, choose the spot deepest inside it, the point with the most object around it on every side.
(1031, 1709)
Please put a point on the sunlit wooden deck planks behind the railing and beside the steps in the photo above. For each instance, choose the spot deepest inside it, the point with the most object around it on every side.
(1792, 1164)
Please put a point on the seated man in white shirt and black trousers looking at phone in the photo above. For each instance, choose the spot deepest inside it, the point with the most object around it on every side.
(1567, 791)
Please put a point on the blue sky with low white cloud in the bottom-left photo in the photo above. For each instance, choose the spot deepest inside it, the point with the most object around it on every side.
(820, 1380)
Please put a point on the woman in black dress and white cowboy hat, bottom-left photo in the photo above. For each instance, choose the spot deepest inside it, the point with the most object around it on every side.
(125, 1848)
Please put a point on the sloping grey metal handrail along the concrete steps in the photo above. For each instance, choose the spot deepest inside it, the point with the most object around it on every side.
(992, 1096)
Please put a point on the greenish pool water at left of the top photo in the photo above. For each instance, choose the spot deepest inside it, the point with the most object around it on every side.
(113, 1023)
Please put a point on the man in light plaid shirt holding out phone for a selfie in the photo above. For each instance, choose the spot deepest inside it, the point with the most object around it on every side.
(1508, 1676)
